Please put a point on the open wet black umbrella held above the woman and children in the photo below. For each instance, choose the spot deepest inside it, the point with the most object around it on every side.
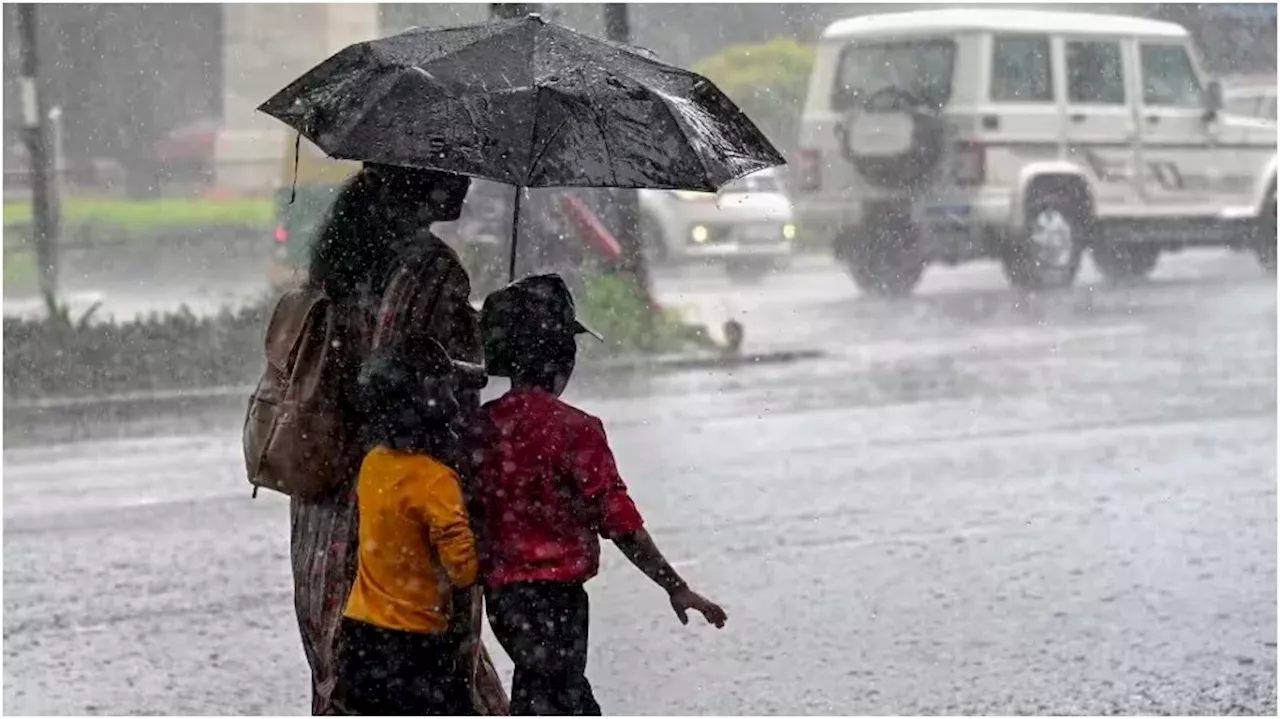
(525, 103)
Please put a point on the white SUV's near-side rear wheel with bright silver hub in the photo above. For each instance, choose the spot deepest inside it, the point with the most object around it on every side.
(1048, 253)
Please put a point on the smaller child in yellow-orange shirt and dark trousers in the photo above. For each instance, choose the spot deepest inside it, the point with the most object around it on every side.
(396, 653)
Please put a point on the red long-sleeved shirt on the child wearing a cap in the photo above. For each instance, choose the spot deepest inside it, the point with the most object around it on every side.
(548, 489)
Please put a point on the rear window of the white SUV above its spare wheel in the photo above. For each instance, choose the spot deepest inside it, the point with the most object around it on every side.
(921, 67)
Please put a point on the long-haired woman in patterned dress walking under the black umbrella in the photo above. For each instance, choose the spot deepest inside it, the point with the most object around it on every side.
(390, 278)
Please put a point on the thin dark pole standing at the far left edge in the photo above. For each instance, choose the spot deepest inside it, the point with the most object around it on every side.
(44, 199)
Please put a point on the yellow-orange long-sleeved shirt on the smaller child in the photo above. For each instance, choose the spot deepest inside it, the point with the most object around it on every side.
(415, 543)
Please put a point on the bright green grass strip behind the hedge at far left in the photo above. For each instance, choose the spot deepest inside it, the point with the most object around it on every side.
(135, 216)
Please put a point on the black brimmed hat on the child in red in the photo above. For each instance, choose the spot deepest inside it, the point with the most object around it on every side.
(531, 310)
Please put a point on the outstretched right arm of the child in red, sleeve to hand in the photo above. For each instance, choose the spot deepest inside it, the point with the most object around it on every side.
(593, 466)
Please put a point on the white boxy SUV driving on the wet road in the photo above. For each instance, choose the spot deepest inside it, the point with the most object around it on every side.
(945, 136)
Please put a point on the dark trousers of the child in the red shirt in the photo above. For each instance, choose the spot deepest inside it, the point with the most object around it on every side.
(543, 629)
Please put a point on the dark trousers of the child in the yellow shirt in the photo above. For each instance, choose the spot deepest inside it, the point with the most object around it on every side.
(388, 672)
